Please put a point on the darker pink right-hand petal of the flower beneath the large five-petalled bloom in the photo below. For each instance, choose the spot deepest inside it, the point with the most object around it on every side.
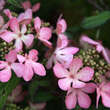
(89, 88)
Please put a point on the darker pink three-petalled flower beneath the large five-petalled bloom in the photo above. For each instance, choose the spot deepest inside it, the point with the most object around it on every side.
(79, 95)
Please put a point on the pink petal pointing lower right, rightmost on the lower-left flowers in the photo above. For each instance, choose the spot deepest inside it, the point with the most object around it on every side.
(39, 69)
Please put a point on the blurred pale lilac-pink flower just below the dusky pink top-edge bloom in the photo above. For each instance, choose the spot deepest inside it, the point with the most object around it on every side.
(26, 17)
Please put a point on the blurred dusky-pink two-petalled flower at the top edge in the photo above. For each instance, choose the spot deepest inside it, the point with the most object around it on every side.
(27, 5)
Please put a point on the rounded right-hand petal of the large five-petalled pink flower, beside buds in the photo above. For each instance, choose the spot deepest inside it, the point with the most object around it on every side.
(85, 74)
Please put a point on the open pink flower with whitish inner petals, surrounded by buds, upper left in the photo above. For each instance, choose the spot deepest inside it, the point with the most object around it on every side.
(18, 35)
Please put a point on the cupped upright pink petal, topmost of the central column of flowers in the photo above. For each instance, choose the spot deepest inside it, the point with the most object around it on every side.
(61, 26)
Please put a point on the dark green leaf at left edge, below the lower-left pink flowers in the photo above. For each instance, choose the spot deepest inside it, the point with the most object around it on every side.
(6, 89)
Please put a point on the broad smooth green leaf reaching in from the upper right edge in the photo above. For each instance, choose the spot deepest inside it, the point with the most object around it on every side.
(95, 21)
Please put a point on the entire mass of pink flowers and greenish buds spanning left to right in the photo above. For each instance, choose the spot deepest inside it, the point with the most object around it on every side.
(79, 70)
